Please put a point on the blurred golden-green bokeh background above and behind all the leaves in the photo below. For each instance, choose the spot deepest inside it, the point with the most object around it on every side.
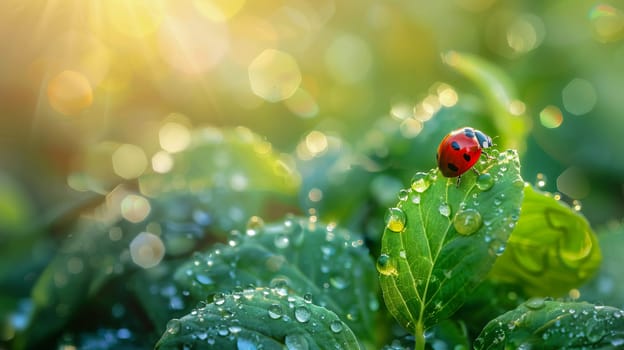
(96, 93)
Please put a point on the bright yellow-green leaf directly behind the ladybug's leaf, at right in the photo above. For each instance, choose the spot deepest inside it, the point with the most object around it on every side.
(552, 249)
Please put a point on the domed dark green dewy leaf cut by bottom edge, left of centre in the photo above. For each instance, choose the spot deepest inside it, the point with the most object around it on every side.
(258, 318)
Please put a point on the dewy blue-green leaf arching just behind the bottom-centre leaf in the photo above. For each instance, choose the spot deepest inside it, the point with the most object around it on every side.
(325, 262)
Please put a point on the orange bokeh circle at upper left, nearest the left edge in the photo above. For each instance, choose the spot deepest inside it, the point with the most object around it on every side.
(70, 92)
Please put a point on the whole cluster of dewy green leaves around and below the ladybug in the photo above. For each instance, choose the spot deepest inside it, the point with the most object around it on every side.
(459, 266)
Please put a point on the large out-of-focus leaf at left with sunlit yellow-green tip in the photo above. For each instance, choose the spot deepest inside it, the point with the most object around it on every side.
(223, 177)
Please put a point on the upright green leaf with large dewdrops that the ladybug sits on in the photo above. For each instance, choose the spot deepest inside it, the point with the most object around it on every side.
(441, 240)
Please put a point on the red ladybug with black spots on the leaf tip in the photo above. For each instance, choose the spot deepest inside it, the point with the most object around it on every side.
(460, 150)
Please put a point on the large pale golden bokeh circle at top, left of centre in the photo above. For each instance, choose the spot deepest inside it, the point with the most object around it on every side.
(274, 75)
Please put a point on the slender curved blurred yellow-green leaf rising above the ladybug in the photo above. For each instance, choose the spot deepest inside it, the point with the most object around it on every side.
(506, 111)
